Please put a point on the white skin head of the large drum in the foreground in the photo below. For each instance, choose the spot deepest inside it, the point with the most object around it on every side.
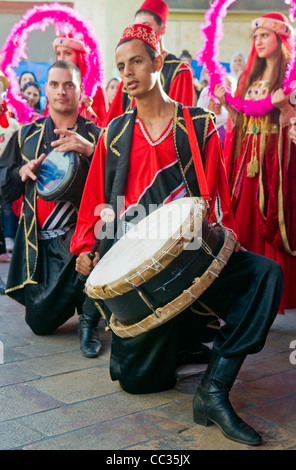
(145, 243)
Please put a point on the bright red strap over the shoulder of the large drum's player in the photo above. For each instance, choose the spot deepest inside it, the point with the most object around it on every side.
(198, 165)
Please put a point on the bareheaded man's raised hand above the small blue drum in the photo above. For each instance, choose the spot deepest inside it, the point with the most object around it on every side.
(71, 141)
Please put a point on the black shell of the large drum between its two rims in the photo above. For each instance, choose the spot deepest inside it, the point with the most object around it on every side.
(130, 308)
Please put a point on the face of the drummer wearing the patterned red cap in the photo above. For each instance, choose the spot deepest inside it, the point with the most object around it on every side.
(137, 69)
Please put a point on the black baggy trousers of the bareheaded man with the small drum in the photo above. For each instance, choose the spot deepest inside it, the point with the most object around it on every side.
(59, 292)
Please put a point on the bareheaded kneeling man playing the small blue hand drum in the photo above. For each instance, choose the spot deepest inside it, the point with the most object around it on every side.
(42, 274)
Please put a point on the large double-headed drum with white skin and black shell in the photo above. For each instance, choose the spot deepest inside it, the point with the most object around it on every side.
(160, 266)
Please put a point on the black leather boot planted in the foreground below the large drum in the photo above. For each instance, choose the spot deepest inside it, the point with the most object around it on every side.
(211, 401)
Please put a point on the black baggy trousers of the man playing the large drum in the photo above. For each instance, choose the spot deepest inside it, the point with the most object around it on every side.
(246, 296)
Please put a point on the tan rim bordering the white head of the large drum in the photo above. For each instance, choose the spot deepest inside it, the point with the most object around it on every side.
(146, 270)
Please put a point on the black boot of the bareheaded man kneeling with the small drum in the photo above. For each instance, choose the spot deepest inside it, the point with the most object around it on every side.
(90, 345)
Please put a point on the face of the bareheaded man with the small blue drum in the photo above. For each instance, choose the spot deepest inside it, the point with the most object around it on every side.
(63, 90)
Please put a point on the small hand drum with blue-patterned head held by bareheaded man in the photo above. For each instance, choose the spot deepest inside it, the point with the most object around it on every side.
(61, 177)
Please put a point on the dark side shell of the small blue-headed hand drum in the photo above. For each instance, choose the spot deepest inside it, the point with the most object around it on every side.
(72, 186)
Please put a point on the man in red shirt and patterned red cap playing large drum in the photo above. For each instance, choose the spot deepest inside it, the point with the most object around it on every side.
(145, 156)
